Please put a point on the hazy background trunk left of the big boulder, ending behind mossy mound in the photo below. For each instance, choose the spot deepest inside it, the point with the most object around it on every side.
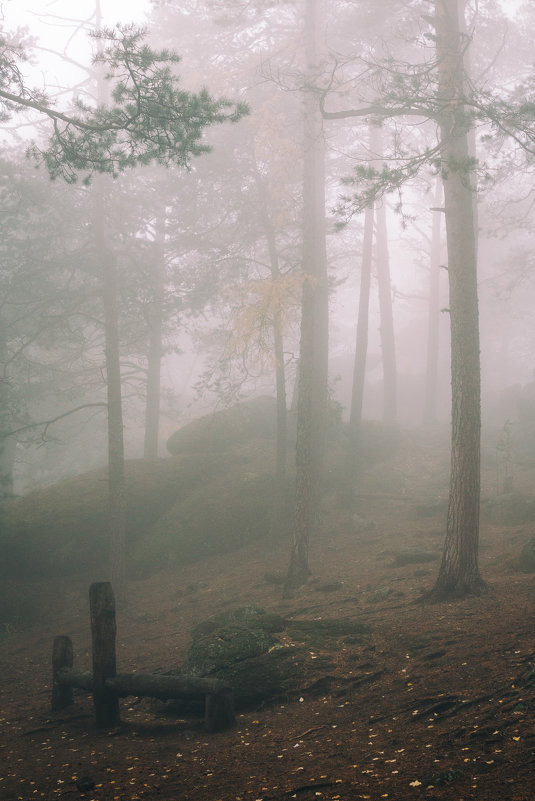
(155, 350)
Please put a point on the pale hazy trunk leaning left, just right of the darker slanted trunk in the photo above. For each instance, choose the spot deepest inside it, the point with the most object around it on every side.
(388, 345)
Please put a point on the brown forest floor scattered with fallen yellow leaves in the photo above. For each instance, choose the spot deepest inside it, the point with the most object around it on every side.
(438, 702)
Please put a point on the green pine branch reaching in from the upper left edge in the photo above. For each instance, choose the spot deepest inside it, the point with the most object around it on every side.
(150, 117)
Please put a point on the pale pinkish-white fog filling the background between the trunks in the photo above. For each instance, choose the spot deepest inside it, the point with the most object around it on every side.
(209, 254)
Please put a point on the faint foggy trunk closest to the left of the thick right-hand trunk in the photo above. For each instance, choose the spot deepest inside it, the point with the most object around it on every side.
(433, 316)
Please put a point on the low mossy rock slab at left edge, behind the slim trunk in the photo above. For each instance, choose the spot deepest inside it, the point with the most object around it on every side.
(63, 528)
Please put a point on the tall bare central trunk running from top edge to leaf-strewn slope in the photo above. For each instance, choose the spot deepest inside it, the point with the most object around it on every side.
(312, 376)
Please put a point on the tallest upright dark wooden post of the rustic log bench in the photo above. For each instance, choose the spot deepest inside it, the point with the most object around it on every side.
(103, 631)
